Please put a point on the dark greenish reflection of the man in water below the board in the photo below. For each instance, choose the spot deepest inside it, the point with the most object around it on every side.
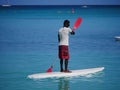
(63, 84)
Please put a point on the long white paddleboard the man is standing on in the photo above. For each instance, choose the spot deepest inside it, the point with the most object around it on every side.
(63, 74)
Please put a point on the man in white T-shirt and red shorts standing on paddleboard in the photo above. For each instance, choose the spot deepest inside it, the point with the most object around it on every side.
(63, 38)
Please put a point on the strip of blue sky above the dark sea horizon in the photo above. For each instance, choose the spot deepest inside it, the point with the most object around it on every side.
(61, 2)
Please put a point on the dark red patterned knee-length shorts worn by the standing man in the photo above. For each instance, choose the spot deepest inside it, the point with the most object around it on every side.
(63, 52)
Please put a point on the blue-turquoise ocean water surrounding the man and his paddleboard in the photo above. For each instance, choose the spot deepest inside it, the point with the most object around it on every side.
(28, 45)
